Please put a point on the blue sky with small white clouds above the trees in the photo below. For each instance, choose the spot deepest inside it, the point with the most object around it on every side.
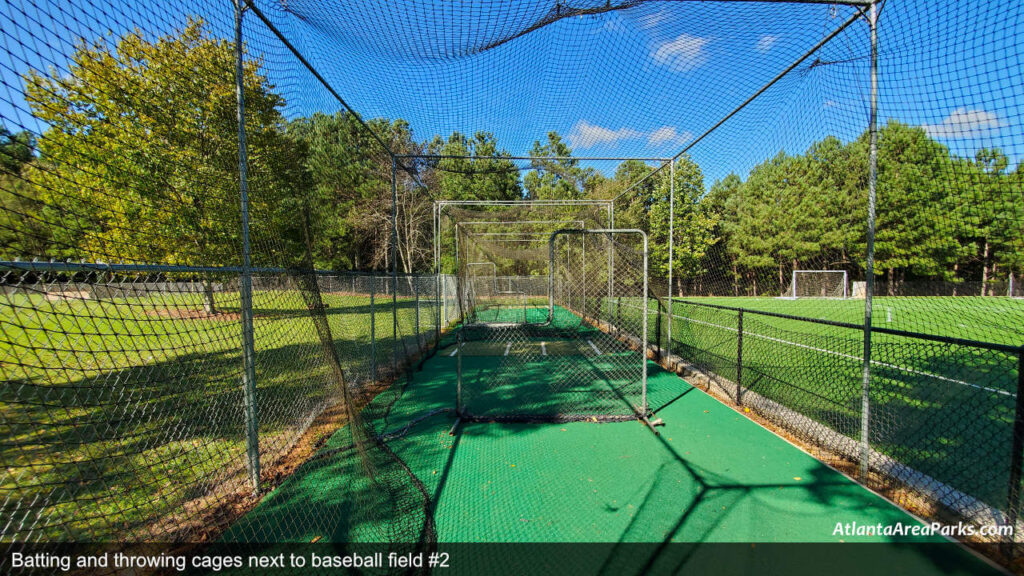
(643, 81)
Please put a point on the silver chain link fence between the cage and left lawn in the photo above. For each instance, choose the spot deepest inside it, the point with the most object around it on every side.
(124, 415)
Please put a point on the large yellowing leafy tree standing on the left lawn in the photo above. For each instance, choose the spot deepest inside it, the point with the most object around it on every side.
(143, 153)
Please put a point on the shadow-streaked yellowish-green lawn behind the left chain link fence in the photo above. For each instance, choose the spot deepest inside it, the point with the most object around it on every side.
(116, 414)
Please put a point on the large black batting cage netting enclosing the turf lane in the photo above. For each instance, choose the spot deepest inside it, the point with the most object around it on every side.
(233, 233)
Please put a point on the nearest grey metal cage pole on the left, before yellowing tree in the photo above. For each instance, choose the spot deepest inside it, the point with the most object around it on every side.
(246, 292)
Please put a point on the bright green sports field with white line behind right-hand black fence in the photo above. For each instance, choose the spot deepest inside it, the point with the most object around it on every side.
(946, 410)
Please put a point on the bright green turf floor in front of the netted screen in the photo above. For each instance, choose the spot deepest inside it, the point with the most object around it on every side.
(712, 476)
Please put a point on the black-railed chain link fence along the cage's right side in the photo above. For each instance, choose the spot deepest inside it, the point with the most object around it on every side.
(938, 427)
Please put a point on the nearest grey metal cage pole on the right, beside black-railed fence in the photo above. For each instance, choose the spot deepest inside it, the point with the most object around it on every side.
(873, 175)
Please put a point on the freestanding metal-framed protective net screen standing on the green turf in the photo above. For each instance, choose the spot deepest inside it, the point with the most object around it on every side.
(575, 358)
